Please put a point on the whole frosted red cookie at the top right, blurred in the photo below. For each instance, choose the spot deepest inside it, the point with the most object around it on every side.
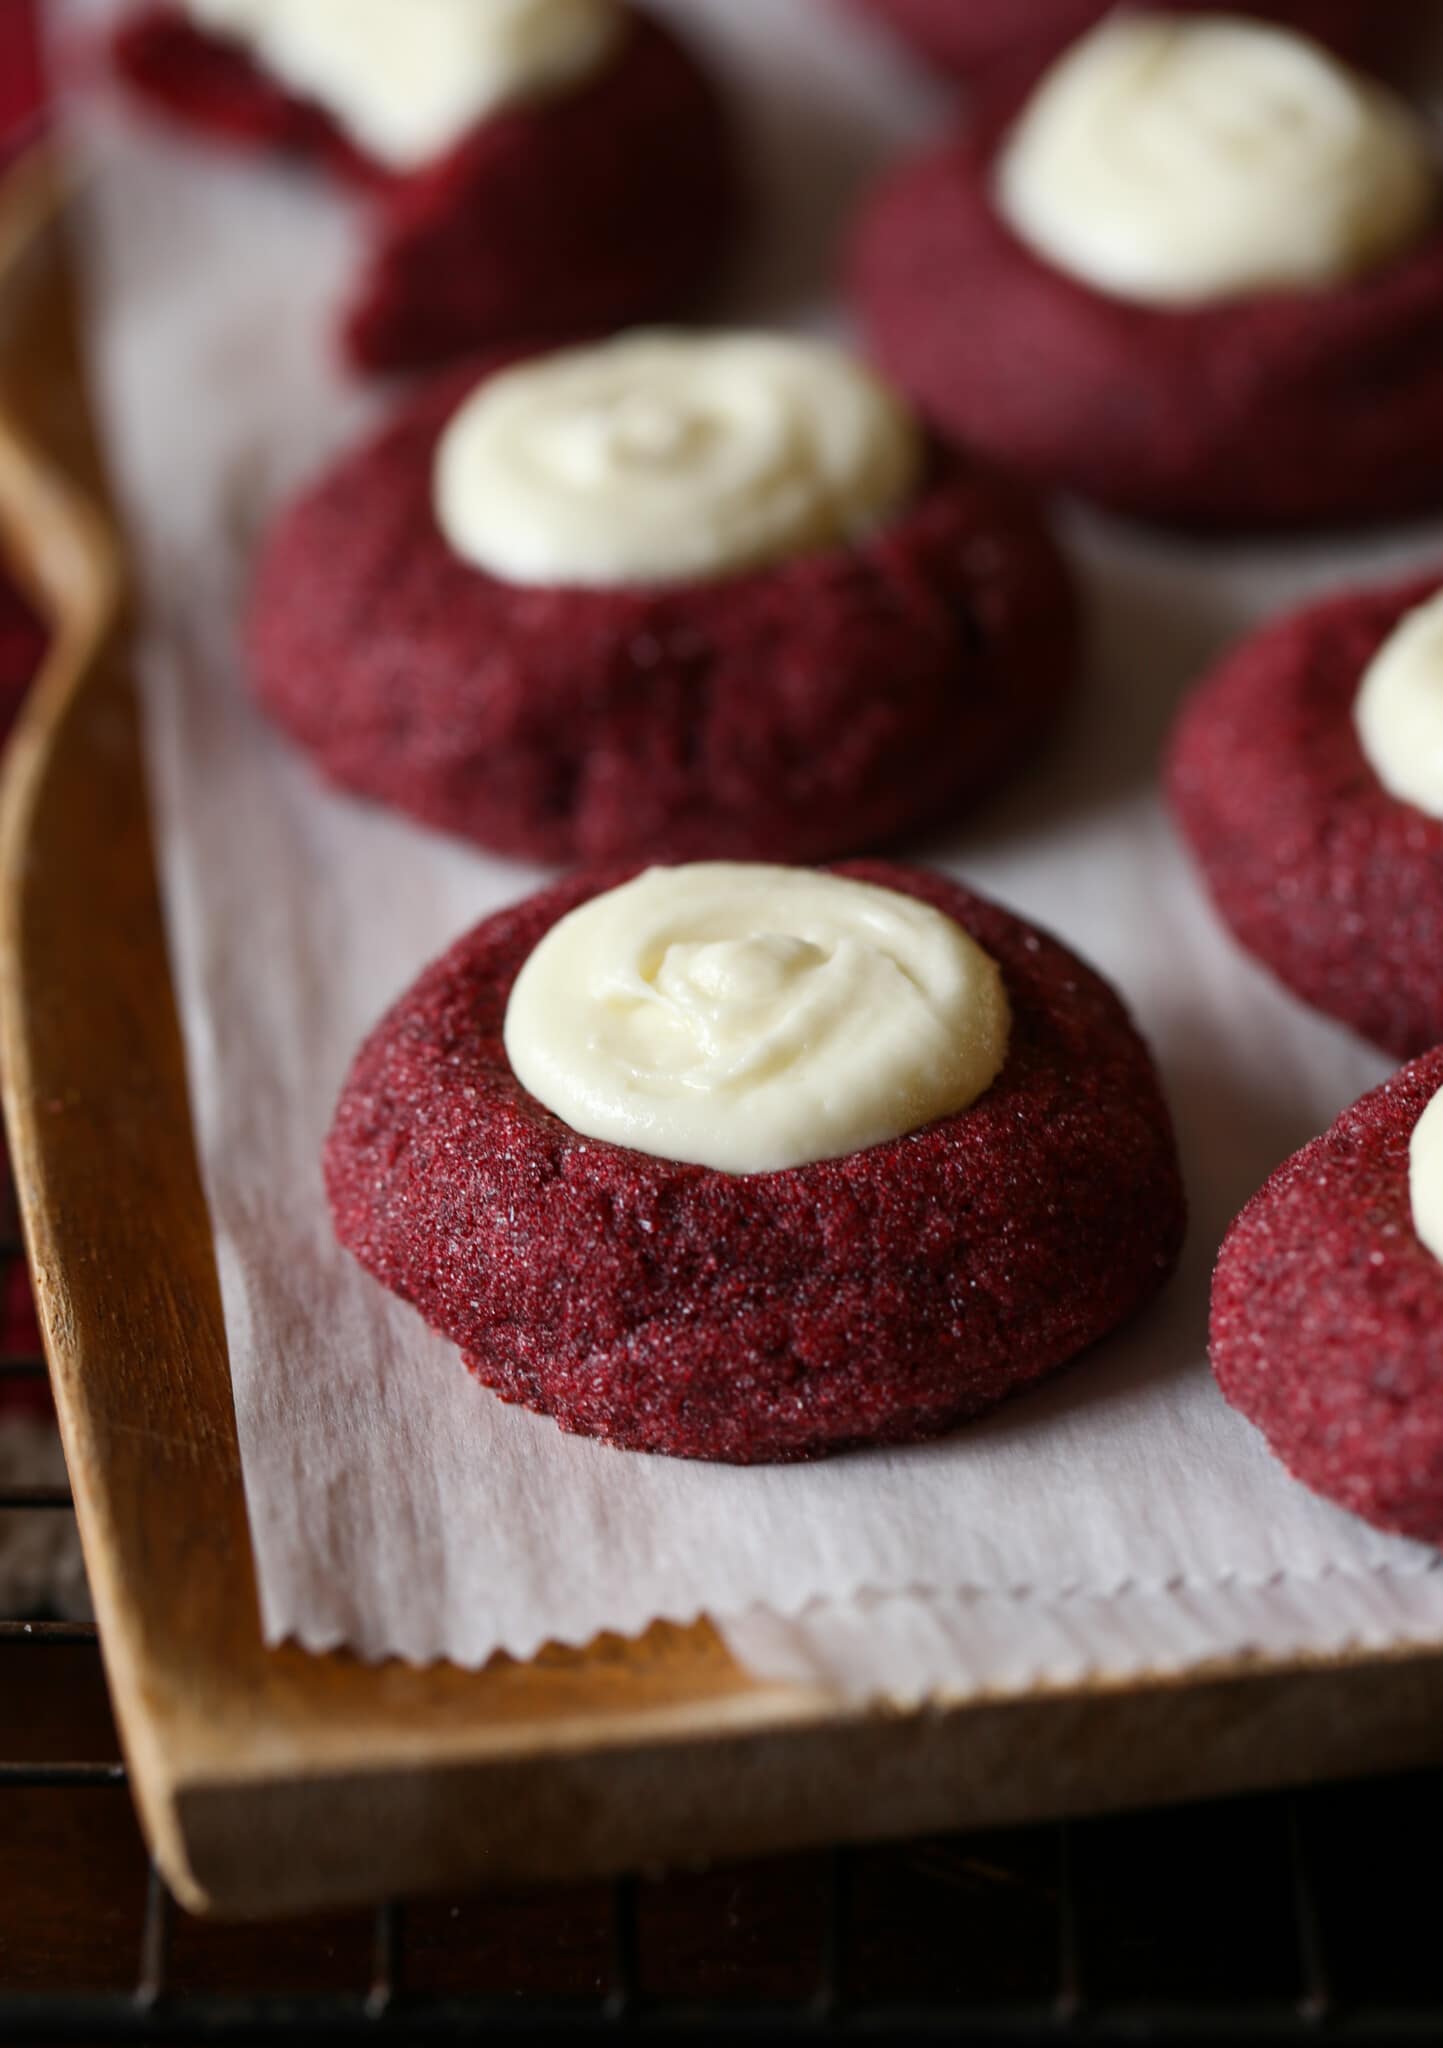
(1198, 278)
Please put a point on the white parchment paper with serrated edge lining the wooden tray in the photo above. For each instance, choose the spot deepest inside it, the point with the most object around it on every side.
(1123, 1519)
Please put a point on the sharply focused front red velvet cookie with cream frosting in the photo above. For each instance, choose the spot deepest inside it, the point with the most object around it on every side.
(758, 1164)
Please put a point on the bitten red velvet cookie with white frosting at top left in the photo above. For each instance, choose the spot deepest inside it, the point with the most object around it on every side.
(535, 169)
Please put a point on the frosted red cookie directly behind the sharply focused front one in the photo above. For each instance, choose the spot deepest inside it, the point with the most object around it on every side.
(666, 597)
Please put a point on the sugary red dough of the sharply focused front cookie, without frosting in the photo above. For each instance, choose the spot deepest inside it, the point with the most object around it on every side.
(871, 1299)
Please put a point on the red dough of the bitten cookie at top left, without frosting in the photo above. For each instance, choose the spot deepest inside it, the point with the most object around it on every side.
(601, 206)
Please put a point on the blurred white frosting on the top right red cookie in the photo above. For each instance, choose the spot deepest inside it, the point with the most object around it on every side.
(1186, 161)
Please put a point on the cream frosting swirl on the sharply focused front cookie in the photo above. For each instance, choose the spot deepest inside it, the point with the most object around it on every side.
(752, 1019)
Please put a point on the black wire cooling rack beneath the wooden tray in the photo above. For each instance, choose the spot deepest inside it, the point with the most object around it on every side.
(1278, 1918)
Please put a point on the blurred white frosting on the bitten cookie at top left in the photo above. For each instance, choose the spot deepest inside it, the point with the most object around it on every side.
(406, 79)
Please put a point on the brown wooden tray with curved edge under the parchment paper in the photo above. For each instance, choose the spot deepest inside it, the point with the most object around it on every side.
(279, 1781)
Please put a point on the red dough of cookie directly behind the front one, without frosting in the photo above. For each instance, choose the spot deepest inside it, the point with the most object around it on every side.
(814, 708)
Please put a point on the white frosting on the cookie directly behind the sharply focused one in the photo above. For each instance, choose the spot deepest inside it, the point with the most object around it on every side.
(660, 458)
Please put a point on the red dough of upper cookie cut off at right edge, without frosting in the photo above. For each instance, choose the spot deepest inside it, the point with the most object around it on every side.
(1319, 871)
